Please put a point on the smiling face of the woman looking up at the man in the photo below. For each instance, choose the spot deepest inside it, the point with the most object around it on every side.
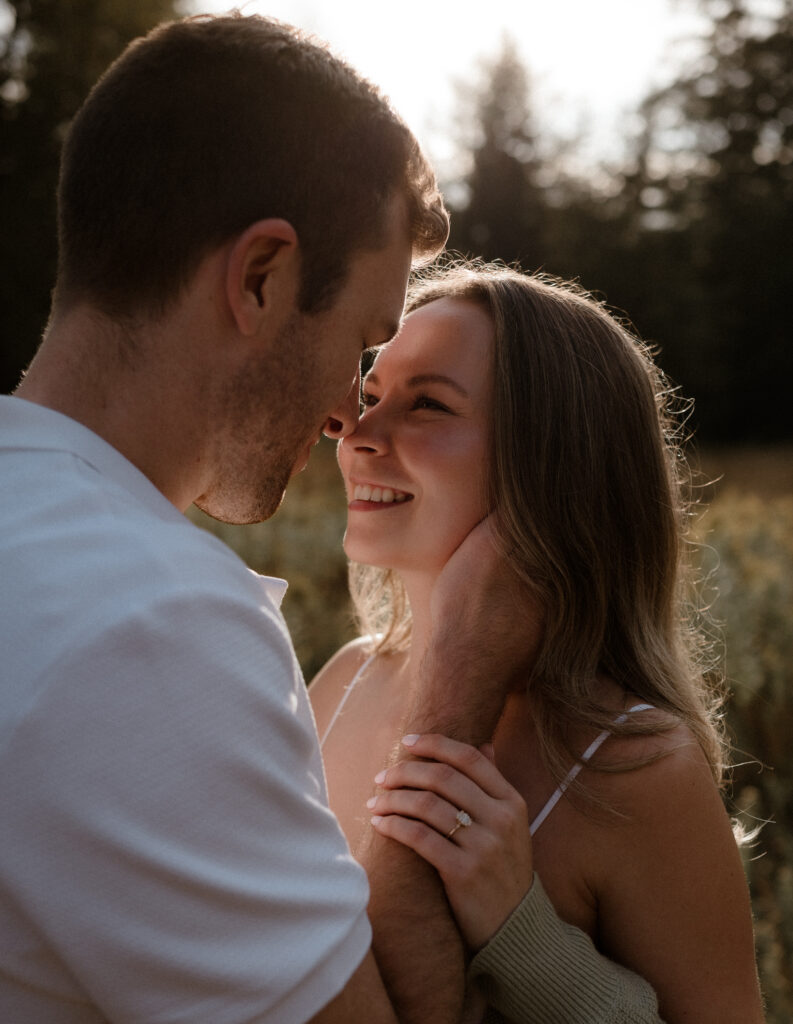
(415, 466)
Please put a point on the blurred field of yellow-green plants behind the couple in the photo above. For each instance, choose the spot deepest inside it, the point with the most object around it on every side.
(744, 536)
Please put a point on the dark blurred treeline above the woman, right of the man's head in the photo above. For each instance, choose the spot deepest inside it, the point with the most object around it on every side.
(691, 236)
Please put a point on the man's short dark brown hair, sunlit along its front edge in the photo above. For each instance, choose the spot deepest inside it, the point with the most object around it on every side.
(210, 124)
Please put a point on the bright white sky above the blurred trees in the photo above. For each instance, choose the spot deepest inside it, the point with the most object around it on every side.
(592, 61)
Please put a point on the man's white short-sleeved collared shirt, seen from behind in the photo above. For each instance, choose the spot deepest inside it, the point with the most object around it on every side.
(166, 849)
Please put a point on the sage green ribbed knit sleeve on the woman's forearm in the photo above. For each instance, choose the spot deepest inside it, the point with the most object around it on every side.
(539, 970)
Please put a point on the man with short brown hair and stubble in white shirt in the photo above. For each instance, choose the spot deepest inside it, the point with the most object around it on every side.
(239, 212)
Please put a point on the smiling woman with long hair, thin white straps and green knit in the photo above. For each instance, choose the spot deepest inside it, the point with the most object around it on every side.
(587, 852)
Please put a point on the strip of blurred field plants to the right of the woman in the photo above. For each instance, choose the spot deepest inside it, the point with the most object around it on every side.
(749, 562)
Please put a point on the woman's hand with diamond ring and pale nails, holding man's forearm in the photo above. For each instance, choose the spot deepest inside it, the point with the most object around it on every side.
(486, 866)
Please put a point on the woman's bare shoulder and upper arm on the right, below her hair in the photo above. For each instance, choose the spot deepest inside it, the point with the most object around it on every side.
(673, 899)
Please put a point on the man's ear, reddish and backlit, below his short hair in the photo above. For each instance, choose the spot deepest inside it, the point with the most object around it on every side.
(262, 273)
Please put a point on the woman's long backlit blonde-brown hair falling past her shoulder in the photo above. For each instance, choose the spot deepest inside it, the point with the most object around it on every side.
(586, 478)
